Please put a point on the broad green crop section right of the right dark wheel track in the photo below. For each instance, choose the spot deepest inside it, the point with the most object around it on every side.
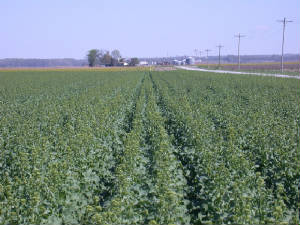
(228, 183)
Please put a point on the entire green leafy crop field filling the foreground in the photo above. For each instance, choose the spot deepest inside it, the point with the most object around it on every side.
(139, 147)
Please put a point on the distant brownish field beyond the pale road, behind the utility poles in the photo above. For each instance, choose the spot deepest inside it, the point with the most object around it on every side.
(290, 68)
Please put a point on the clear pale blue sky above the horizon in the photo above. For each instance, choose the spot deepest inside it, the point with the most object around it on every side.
(69, 28)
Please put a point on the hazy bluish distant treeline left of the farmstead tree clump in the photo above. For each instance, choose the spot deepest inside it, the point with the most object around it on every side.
(67, 62)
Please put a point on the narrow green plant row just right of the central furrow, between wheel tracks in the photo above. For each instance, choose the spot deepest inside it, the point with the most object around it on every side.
(170, 184)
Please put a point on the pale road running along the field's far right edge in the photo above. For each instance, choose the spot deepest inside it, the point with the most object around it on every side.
(235, 72)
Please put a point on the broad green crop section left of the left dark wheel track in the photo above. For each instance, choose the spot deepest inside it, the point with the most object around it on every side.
(59, 142)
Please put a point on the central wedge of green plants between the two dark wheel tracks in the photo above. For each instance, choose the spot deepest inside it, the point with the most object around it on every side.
(150, 187)
